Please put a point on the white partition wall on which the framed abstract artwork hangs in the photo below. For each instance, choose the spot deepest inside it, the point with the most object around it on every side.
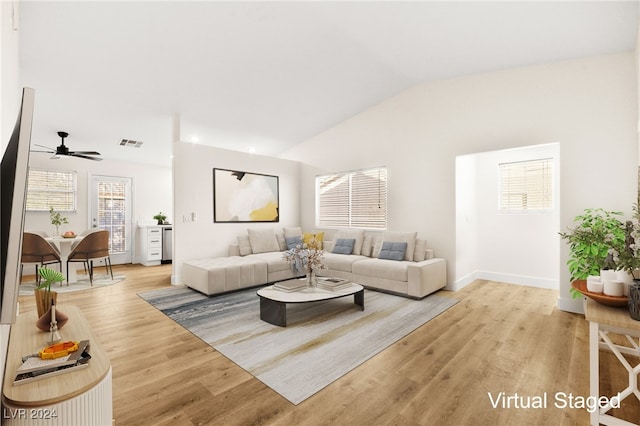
(193, 186)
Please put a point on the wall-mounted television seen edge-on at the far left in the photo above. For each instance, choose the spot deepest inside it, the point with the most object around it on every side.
(13, 187)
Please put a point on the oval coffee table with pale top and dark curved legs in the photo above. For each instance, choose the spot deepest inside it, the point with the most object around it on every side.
(273, 302)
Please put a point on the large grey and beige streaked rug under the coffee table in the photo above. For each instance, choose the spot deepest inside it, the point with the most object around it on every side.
(322, 340)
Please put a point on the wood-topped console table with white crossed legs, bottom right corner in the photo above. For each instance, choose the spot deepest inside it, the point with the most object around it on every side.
(602, 321)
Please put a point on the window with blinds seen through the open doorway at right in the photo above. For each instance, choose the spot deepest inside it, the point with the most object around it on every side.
(526, 186)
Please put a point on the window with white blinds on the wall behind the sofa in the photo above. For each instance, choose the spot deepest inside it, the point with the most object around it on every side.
(355, 199)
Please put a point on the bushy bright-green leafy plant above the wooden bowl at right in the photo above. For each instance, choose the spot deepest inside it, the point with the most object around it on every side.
(597, 234)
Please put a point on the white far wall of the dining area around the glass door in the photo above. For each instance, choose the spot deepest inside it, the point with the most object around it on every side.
(151, 192)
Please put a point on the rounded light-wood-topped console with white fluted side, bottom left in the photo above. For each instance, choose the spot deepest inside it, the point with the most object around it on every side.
(81, 397)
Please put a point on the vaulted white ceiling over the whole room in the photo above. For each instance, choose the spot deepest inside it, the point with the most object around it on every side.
(265, 76)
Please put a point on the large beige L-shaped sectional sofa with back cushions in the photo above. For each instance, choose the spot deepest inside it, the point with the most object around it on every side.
(394, 262)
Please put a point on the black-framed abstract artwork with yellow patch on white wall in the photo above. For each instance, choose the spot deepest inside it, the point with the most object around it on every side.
(245, 197)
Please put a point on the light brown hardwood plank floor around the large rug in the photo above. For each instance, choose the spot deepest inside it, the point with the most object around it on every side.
(498, 338)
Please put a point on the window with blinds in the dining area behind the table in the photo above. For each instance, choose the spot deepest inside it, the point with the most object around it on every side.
(51, 188)
